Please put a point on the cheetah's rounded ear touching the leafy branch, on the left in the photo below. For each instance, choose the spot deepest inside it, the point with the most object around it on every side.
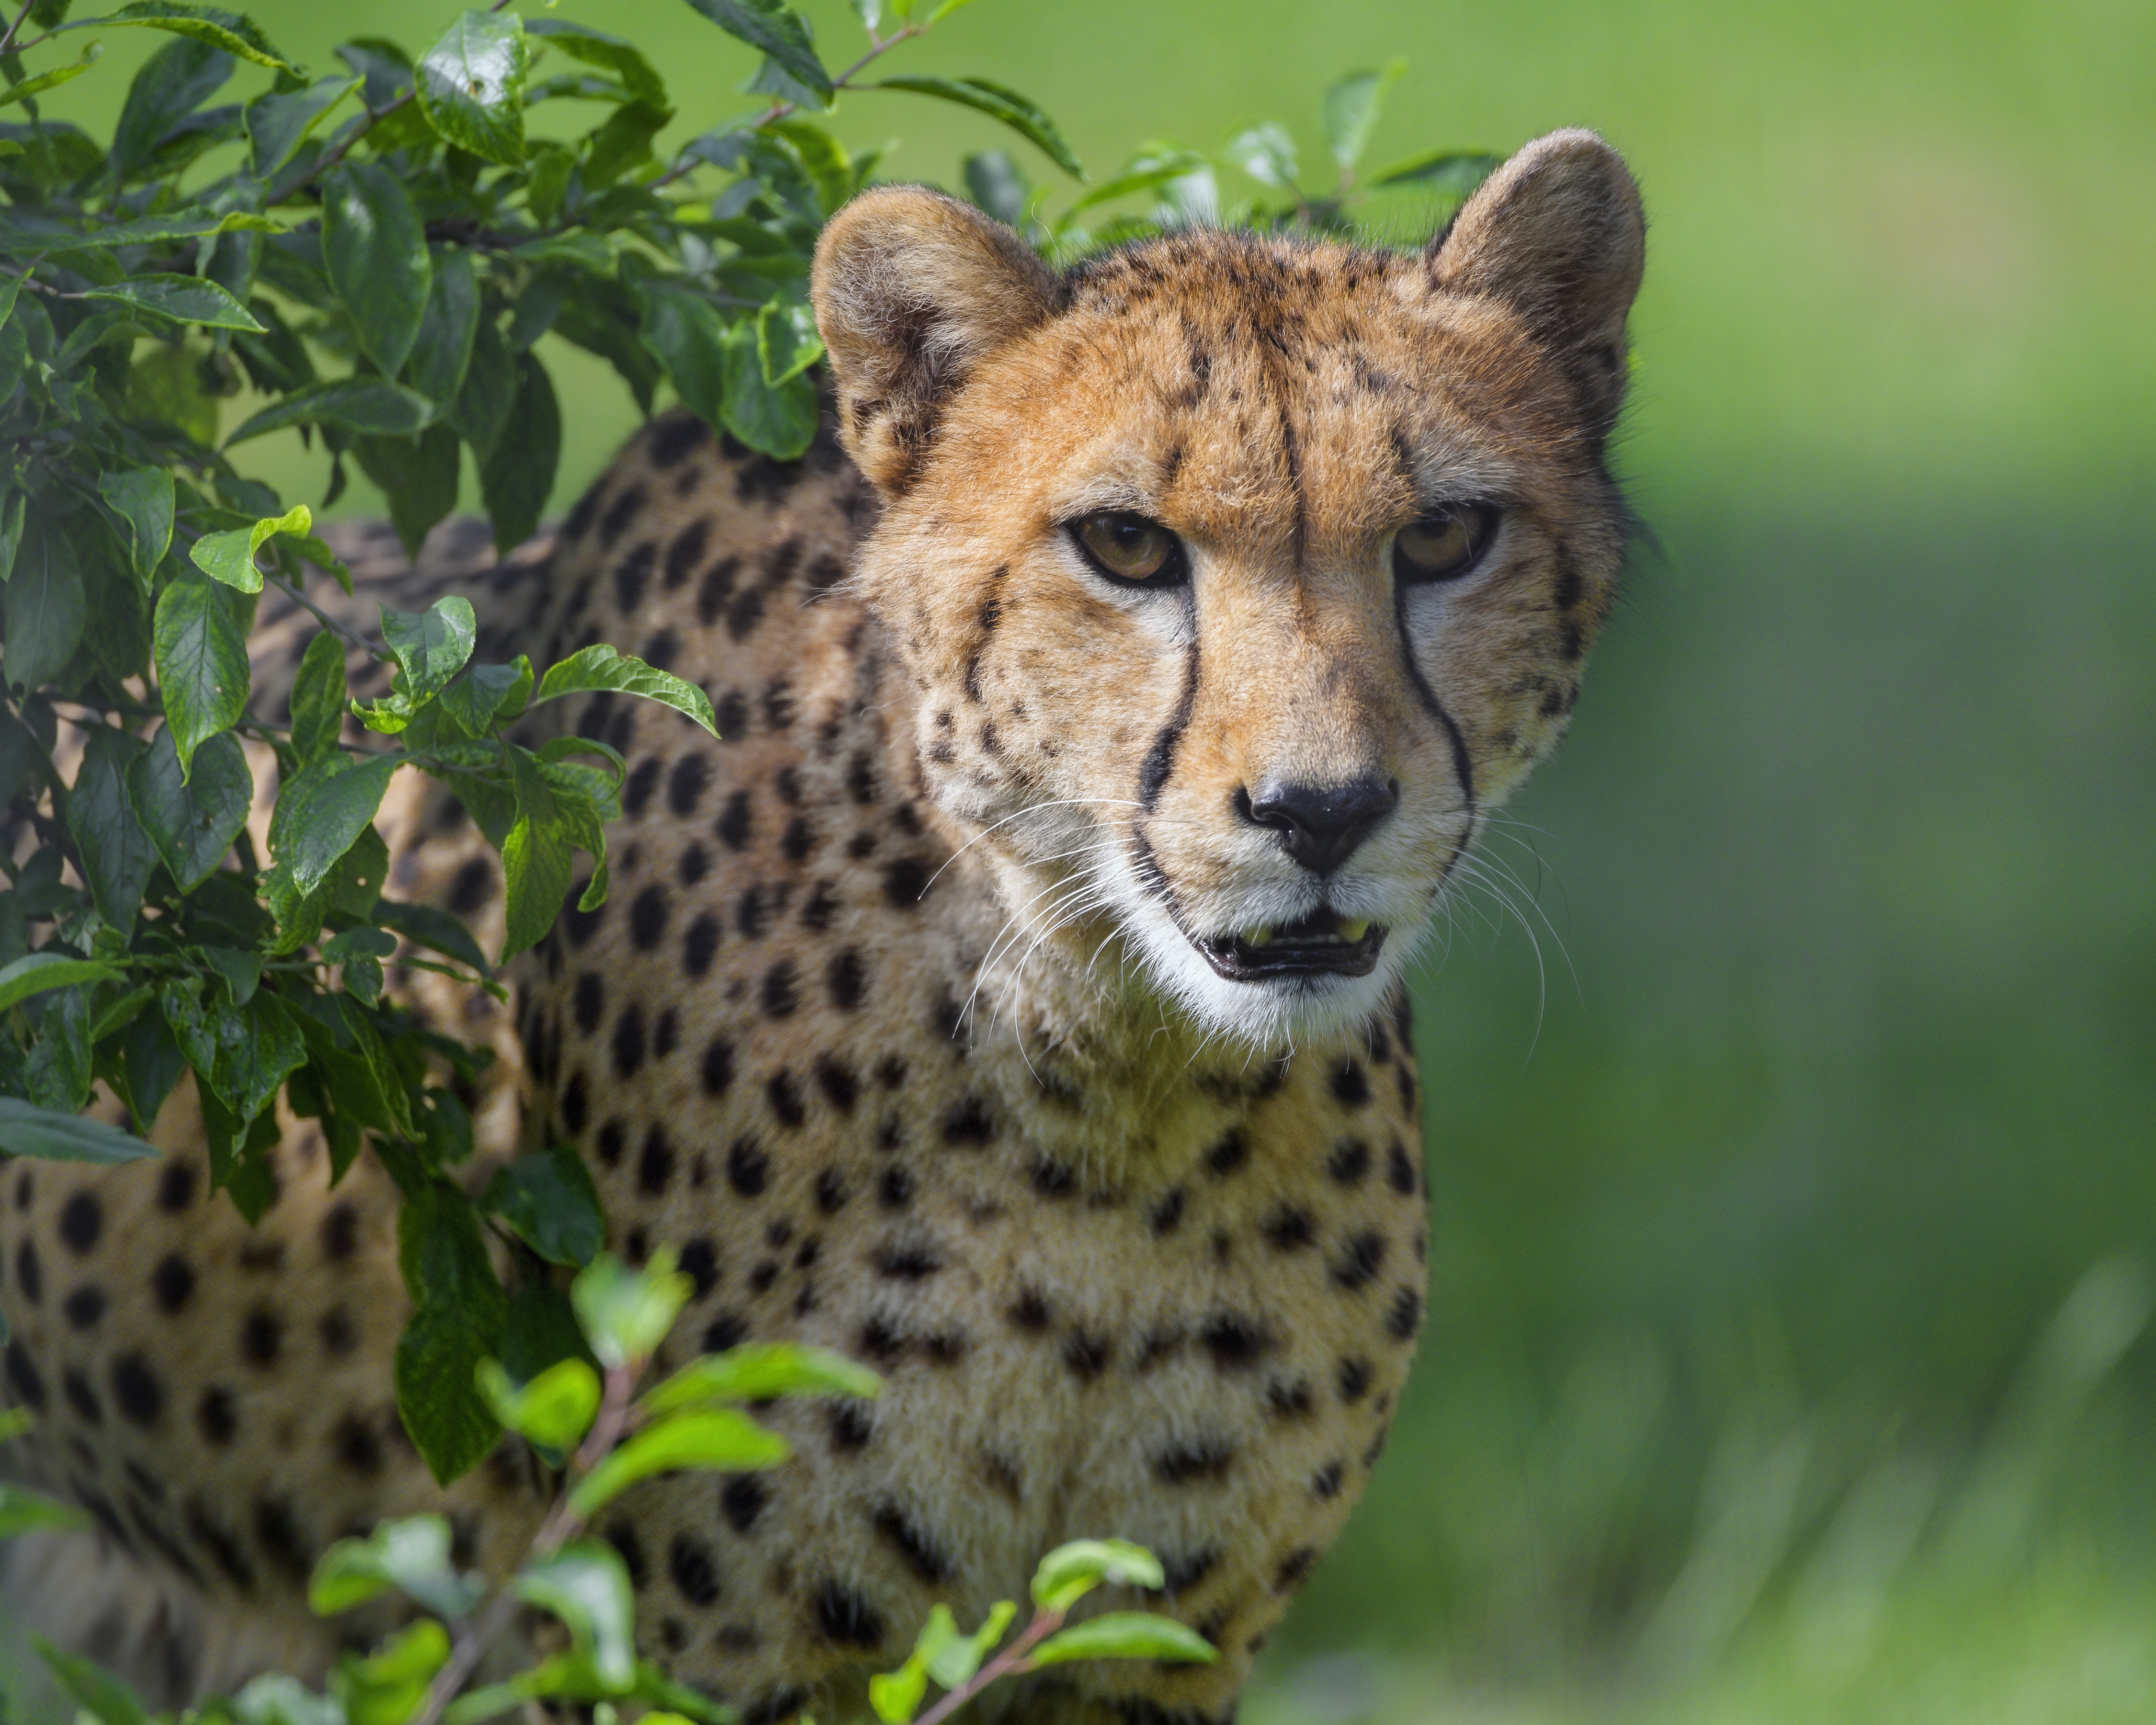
(911, 292)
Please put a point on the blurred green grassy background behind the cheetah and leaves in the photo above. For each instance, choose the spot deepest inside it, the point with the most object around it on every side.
(1786, 1355)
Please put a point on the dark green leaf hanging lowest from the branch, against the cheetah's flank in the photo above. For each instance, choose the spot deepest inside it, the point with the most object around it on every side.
(458, 1321)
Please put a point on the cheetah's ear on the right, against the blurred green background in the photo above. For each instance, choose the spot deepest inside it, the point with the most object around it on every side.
(1560, 236)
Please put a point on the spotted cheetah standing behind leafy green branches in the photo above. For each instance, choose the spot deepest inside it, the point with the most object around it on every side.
(1012, 997)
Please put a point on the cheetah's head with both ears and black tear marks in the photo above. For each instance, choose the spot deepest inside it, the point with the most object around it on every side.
(1239, 579)
